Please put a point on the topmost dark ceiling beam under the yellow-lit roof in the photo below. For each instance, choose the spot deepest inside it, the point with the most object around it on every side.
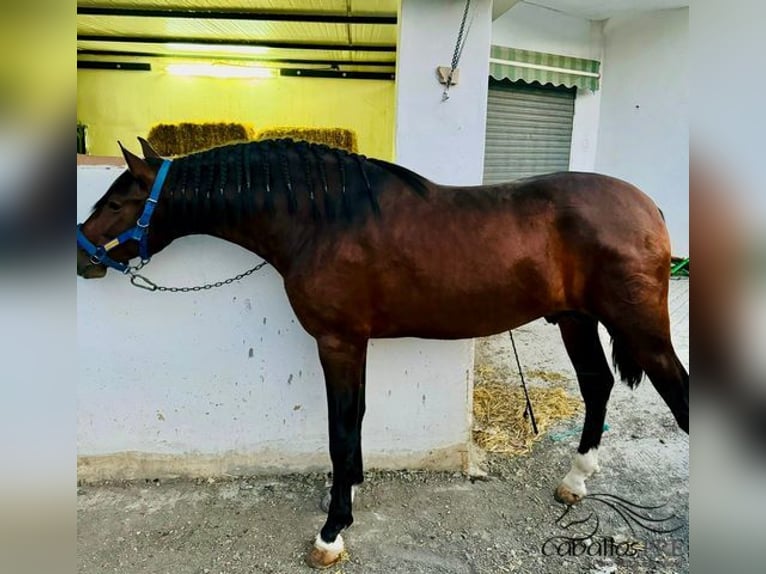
(236, 15)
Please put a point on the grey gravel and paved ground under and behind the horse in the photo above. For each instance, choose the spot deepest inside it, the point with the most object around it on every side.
(428, 522)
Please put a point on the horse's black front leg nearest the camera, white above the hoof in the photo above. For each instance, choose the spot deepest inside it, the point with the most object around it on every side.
(343, 364)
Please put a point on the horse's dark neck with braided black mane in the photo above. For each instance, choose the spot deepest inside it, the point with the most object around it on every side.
(272, 198)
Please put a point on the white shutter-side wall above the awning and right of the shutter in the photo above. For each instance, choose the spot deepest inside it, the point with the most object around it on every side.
(530, 27)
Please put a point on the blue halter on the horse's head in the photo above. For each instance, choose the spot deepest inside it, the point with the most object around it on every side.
(139, 232)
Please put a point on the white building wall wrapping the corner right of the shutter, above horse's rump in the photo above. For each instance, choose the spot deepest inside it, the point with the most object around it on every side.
(644, 64)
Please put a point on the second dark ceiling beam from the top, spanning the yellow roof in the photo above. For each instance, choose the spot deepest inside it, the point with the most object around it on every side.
(238, 42)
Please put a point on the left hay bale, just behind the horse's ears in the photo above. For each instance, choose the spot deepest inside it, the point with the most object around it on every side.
(188, 137)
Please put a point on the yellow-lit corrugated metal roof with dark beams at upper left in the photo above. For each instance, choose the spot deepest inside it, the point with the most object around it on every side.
(342, 35)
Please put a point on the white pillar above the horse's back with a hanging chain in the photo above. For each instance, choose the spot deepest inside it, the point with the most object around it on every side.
(443, 141)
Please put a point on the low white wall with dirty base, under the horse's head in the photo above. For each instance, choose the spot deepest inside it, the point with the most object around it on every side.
(227, 381)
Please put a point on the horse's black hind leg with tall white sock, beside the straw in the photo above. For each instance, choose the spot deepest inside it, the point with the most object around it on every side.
(580, 335)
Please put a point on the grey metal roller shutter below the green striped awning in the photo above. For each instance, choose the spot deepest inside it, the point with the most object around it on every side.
(529, 130)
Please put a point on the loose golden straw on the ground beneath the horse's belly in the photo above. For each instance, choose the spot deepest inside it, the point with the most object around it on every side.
(498, 409)
